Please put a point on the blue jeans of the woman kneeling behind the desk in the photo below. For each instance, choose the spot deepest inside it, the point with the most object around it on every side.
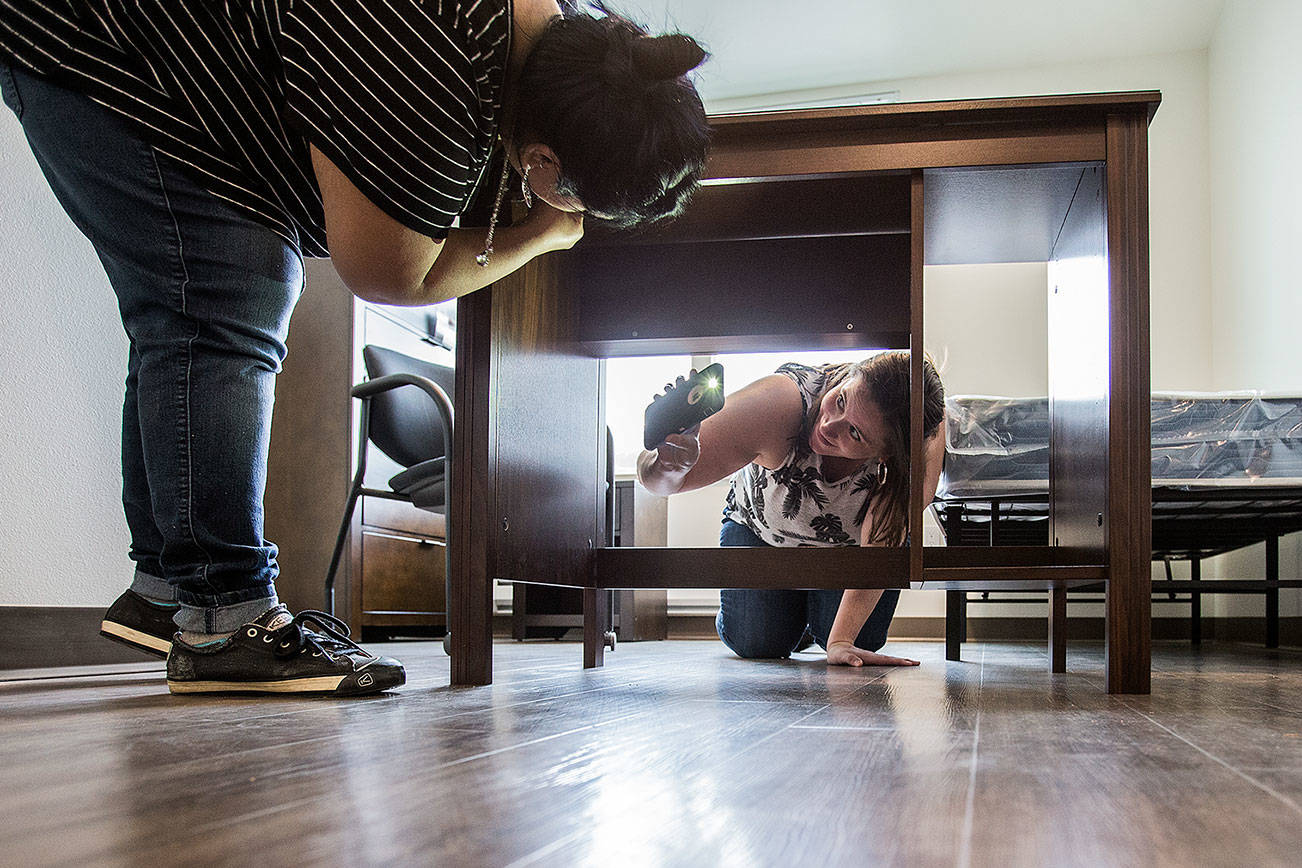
(771, 624)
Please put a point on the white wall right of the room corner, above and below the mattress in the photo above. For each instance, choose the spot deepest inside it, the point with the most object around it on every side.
(1256, 89)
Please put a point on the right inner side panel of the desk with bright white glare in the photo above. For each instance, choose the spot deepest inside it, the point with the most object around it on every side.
(1079, 360)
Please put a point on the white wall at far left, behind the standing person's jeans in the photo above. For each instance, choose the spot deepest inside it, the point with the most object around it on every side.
(63, 538)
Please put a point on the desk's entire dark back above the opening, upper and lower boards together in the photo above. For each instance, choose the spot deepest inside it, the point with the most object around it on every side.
(797, 264)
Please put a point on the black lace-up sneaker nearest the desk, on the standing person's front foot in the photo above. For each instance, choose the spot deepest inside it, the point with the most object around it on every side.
(281, 654)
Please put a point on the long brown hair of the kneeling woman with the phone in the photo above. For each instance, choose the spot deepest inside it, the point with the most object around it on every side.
(885, 381)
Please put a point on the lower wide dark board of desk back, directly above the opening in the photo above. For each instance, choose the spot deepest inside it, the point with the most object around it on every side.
(730, 296)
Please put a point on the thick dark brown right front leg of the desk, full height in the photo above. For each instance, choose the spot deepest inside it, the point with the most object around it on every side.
(1129, 590)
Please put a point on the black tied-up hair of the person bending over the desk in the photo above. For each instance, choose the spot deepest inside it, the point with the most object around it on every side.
(618, 109)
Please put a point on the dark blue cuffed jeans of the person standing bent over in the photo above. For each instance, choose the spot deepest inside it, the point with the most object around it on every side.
(205, 295)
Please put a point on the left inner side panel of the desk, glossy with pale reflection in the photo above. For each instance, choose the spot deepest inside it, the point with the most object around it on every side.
(550, 434)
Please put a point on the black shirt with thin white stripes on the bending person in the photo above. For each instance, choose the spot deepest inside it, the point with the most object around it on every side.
(403, 96)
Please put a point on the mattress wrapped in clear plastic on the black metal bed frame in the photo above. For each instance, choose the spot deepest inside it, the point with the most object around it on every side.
(1002, 446)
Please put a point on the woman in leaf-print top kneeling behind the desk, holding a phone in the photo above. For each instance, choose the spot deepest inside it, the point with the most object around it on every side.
(821, 457)
